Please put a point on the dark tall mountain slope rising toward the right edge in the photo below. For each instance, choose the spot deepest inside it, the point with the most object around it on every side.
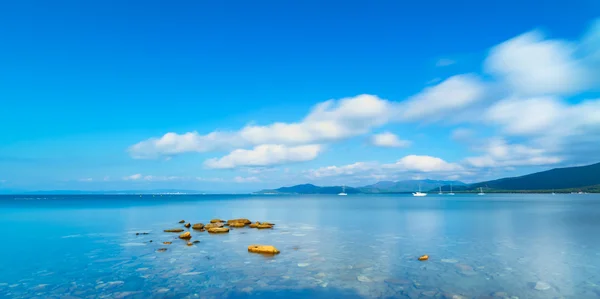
(585, 178)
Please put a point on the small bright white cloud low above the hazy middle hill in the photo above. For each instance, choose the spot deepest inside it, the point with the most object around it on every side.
(423, 164)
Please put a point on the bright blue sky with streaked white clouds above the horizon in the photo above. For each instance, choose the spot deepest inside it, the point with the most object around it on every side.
(238, 96)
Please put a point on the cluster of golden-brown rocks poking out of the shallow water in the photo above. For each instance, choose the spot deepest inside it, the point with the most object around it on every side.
(218, 226)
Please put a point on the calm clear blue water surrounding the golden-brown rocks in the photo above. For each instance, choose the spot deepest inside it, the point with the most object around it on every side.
(508, 246)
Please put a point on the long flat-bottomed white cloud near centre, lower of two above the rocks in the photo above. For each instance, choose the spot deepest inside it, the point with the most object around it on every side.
(264, 155)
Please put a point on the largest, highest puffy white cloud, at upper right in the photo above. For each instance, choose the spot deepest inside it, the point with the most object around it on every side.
(532, 65)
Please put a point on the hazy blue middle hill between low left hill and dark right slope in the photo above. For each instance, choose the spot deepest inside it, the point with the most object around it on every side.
(407, 186)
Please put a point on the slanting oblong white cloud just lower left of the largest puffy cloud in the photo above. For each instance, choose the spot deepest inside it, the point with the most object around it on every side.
(451, 95)
